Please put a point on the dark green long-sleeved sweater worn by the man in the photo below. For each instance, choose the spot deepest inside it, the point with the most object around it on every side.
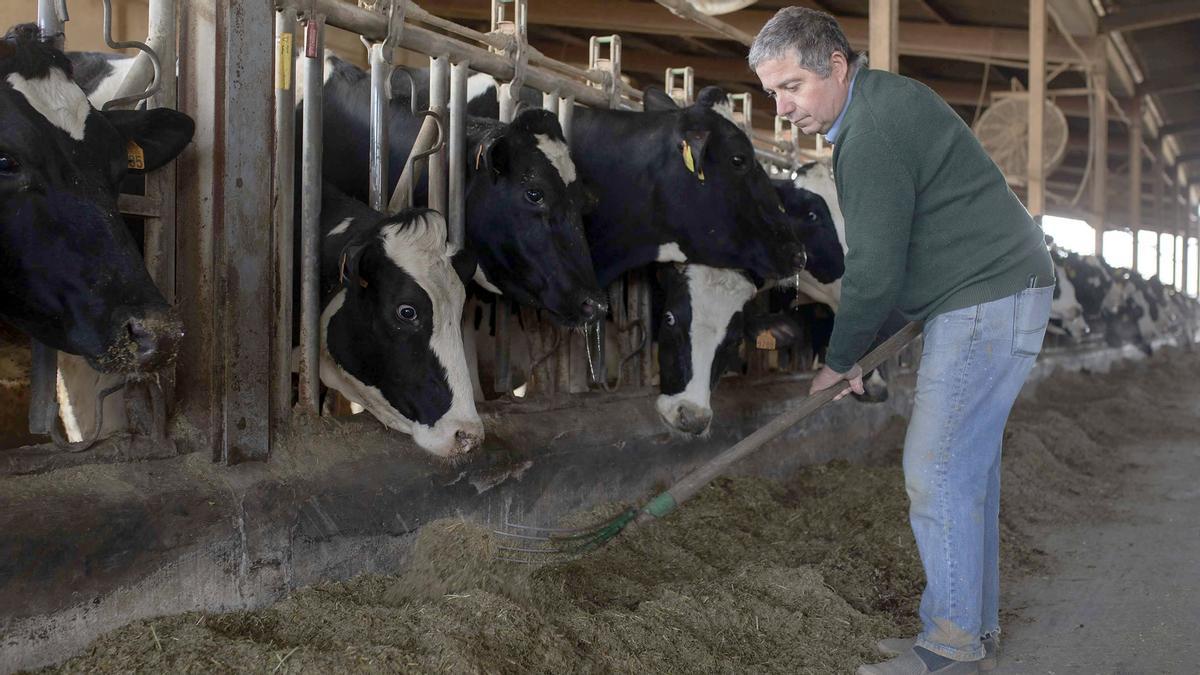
(932, 226)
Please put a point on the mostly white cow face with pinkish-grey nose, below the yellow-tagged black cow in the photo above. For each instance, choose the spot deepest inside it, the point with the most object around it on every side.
(699, 332)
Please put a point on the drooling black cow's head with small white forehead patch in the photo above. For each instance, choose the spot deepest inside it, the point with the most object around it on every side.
(524, 219)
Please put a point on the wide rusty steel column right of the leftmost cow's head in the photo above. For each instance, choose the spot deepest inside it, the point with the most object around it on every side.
(225, 249)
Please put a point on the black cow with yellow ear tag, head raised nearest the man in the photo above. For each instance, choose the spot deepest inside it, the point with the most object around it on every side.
(674, 186)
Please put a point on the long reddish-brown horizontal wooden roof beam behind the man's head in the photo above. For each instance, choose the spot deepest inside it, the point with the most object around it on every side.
(916, 39)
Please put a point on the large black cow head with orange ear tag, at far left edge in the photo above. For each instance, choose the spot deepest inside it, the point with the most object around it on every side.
(74, 276)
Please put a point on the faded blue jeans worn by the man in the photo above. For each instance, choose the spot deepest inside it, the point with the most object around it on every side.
(974, 366)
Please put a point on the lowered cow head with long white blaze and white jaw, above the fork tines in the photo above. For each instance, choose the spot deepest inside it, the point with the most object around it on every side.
(392, 336)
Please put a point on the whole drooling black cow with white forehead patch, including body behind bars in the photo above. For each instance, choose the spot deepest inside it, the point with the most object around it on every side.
(524, 200)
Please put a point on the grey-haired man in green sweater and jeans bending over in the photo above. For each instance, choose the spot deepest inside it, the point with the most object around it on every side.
(933, 230)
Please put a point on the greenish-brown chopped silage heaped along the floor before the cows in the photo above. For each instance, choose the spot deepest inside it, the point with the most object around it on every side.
(752, 576)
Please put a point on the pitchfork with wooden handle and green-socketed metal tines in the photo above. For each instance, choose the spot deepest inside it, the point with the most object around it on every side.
(539, 546)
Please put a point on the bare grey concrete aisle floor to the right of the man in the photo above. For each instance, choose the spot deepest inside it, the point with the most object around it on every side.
(1124, 595)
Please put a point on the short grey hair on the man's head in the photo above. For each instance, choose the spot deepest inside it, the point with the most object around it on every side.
(813, 34)
